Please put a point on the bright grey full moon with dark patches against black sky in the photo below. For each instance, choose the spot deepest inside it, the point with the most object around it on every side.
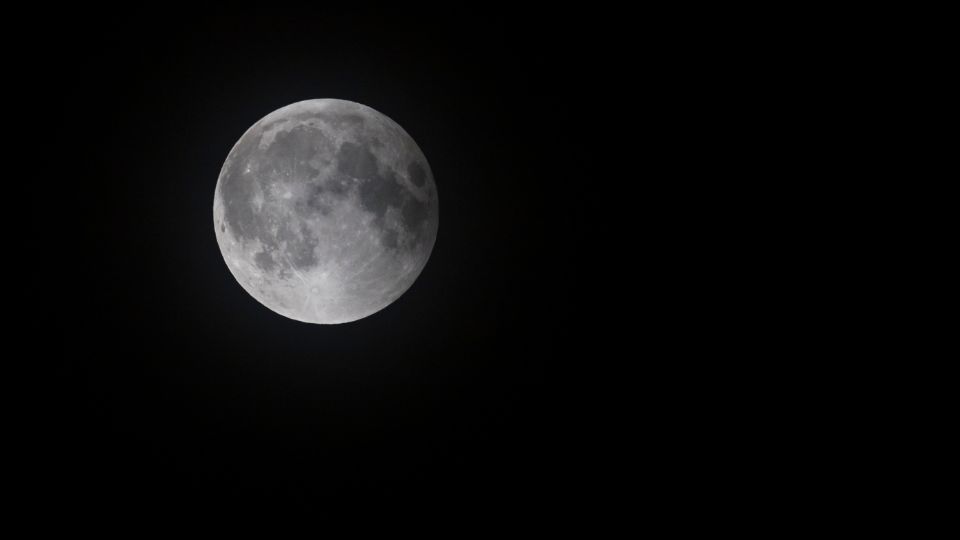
(326, 211)
